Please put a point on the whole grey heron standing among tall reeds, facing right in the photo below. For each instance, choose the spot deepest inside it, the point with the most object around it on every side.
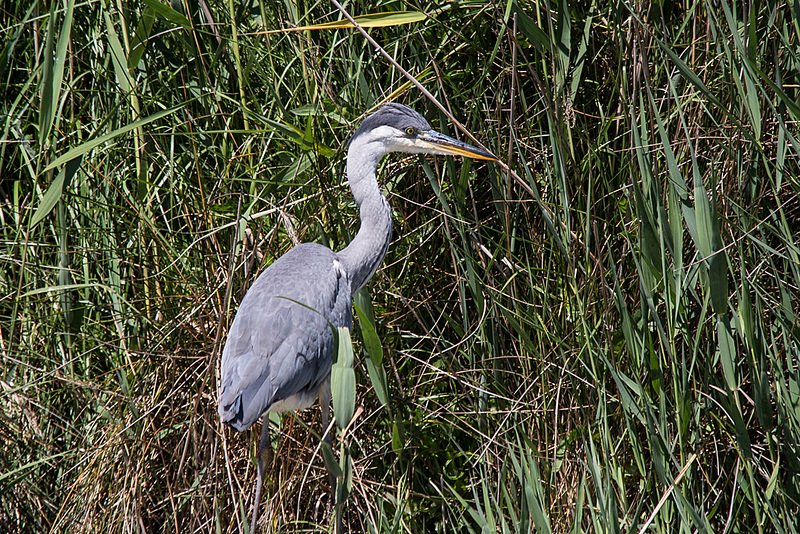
(278, 353)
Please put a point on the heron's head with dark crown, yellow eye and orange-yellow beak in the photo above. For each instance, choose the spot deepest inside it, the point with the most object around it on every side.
(398, 128)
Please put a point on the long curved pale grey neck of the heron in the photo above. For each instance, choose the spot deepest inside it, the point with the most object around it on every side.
(365, 252)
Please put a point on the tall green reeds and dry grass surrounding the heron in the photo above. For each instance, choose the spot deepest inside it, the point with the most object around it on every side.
(604, 340)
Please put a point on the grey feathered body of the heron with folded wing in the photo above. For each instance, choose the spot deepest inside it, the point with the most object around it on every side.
(277, 350)
